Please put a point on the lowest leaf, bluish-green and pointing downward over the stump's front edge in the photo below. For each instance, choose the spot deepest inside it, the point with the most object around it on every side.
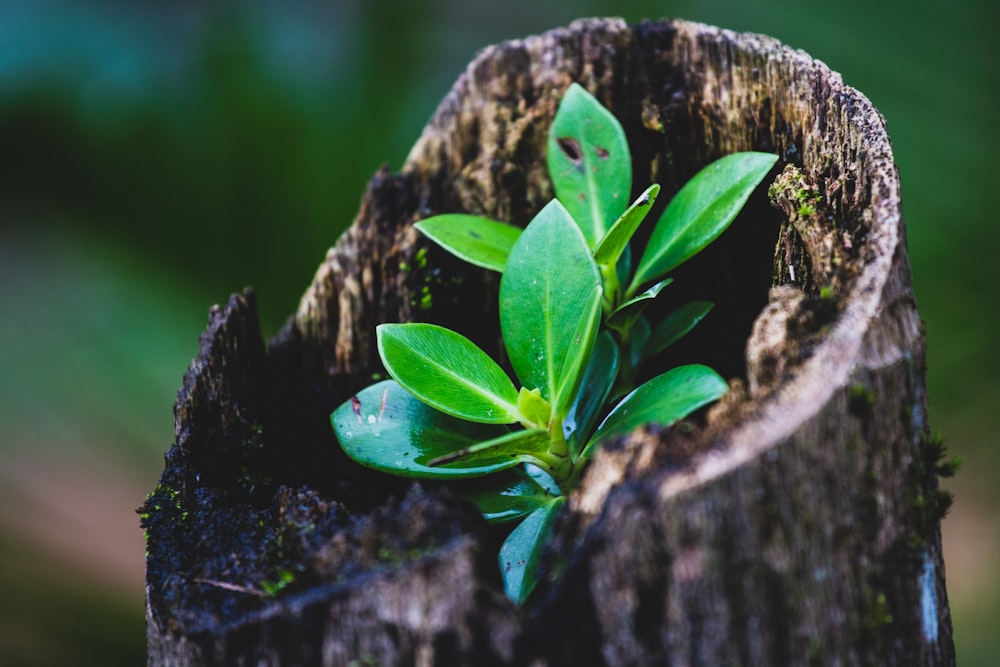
(522, 549)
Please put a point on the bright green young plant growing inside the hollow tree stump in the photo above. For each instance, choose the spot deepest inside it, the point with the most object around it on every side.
(572, 318)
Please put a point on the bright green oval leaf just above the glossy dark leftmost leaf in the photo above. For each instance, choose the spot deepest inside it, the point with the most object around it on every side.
(447, 371)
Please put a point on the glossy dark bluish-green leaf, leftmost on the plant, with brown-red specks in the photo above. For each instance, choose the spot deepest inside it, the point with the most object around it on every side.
(385, 427)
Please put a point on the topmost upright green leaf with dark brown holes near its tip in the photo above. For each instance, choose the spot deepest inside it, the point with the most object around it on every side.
(589, 162)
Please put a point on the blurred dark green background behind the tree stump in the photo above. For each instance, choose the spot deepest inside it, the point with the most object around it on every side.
(158, 156)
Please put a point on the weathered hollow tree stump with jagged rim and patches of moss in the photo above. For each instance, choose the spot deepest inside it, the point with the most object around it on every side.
(797, 522)
